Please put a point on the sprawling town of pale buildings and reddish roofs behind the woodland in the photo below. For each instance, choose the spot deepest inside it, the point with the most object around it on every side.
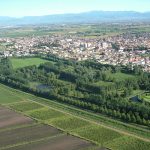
(124, 49)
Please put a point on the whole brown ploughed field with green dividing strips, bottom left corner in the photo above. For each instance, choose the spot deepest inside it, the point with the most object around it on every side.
(21, 133)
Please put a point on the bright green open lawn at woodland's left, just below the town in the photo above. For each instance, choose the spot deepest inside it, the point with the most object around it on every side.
(24, 62)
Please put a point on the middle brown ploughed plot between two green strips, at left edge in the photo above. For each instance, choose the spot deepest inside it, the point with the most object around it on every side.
(26, 134)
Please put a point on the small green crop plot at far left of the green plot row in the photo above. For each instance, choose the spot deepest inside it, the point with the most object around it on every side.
(26, 106)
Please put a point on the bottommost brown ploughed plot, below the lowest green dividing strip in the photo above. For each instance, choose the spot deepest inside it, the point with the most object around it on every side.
(61, 142)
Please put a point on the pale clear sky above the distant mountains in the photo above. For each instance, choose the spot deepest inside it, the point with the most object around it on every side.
(20, 8)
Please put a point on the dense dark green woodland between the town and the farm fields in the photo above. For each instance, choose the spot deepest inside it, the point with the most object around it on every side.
(74, 83)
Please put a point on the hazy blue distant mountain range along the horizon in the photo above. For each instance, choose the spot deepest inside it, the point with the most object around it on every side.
(86, 17)
